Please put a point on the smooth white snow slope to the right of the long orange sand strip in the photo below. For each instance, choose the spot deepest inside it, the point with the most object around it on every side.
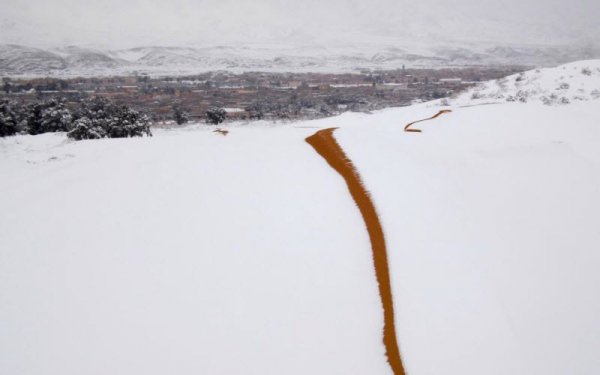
(491, 215)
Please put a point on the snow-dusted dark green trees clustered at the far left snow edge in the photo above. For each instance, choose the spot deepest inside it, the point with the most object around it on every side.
(92, 119)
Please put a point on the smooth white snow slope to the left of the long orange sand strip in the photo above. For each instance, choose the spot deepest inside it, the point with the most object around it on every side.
(182, 253)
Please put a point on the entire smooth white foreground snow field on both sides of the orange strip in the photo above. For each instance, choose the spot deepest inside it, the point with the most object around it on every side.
(196, 253)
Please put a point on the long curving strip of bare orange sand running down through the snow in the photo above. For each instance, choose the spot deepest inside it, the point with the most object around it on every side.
(326, 145)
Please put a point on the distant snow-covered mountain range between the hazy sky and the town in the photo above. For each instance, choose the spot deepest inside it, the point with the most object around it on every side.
(18, 60)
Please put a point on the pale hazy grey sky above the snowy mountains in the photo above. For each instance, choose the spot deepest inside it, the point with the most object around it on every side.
(128, 23)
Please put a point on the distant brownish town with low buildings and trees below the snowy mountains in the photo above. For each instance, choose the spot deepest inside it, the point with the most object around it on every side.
(256, 95)
